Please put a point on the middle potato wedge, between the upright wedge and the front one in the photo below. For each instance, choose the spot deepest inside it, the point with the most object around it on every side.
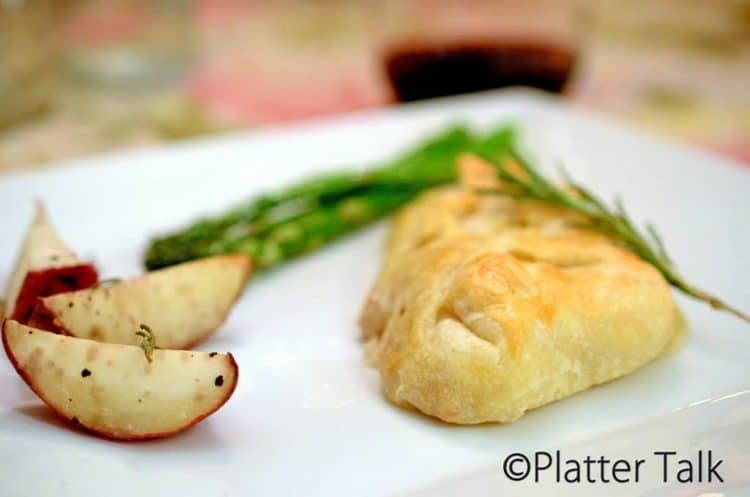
(183, 304)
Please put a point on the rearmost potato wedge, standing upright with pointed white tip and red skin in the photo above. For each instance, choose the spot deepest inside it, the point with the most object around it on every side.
(45, 266)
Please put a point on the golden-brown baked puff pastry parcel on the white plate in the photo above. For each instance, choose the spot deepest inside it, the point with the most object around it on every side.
(487, 307)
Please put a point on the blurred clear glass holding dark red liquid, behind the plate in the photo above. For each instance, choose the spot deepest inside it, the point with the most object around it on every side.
(452, 50)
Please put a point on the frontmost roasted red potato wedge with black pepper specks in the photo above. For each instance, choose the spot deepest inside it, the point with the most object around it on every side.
(114, 390)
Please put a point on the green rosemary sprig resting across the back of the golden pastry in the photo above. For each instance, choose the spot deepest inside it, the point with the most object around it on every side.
(526, 182)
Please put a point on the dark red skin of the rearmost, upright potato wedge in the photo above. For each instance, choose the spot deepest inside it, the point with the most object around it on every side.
(50, 281)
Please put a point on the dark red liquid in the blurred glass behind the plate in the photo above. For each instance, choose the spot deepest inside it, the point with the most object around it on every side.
(419, 72)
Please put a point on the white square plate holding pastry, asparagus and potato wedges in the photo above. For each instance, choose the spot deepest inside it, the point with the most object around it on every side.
(308, 417)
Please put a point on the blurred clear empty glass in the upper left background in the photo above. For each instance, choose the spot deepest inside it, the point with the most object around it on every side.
(128, 43)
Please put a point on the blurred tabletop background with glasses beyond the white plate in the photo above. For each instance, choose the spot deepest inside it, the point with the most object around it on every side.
(83, 77)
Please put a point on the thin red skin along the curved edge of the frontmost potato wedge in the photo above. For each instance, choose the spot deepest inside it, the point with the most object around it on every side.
(122, 437)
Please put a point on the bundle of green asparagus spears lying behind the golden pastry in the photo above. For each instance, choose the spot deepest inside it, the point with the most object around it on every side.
(277, 227)
